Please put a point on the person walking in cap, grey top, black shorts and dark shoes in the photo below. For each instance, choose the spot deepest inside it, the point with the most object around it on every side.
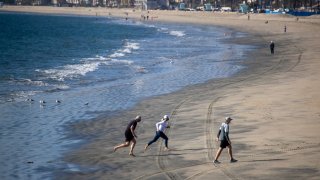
(223, 137)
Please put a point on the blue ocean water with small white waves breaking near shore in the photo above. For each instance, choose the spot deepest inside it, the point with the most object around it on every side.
(60, 69)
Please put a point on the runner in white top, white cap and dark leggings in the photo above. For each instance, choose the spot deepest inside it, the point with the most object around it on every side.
(161, 126)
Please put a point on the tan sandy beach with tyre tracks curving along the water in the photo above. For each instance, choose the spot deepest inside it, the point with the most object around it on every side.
(275, 104)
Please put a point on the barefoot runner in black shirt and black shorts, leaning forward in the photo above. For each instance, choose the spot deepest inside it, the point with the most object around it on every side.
(130, 136)
